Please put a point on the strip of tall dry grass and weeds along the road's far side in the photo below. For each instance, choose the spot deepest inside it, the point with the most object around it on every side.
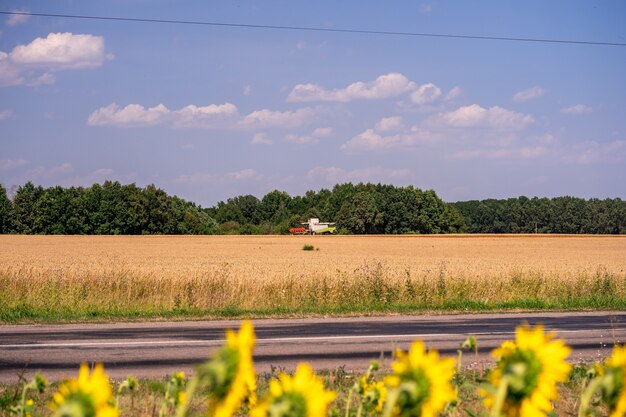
(29, 294)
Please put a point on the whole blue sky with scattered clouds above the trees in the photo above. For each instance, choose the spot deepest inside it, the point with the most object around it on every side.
(208, 112)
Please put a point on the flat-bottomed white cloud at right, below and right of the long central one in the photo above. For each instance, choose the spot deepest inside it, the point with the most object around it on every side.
(477, 116)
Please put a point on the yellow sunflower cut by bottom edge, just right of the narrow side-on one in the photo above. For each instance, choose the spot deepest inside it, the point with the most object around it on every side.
(302, 395)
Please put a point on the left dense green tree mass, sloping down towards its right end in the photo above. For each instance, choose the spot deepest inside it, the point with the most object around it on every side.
(107, 209)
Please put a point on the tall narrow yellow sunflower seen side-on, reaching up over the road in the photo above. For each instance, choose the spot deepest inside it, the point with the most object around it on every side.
(231, 373)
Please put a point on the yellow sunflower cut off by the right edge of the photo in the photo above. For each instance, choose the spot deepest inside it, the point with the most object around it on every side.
(613, 382)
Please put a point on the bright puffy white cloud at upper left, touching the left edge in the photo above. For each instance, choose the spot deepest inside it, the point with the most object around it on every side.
(56, 52)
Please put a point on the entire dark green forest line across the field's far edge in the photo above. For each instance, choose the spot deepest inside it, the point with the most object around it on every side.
(112, 208)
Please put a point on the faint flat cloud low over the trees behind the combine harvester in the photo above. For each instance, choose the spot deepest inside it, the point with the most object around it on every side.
(335, 175)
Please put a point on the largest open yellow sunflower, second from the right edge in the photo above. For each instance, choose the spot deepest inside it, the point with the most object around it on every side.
(527, 373)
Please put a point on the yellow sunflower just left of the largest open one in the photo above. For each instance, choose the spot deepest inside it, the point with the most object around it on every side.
(421, 383)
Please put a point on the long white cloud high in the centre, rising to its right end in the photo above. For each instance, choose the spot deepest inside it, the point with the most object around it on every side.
(385, 86)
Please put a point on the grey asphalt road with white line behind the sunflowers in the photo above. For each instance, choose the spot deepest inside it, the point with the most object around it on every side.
(155, 349)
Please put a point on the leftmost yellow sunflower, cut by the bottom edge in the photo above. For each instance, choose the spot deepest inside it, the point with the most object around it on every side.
(85, 396)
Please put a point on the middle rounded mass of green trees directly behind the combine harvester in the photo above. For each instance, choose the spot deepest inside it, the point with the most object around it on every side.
(356, 209)
